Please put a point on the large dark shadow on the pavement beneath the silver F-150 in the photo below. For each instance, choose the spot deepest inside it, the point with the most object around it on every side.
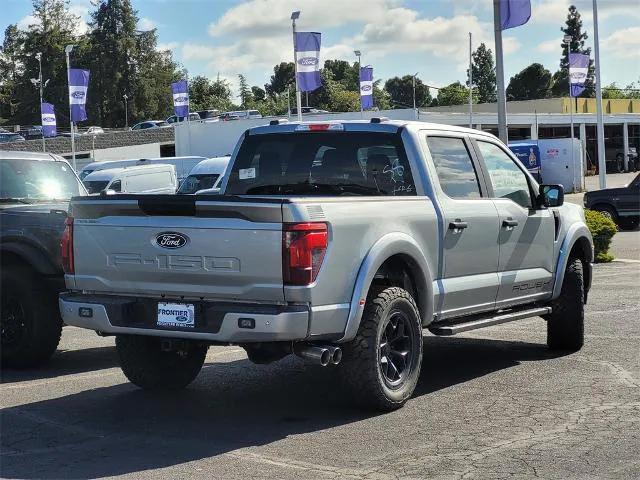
(120, 429)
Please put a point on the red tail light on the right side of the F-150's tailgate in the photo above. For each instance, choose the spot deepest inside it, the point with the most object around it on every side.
(303, 249)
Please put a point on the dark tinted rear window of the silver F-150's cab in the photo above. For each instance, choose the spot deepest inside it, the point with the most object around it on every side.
(321, 163)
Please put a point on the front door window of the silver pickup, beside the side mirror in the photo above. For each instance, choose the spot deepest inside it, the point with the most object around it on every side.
(508, 180)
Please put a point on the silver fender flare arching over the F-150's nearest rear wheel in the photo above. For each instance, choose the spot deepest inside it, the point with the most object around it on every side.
(390, 244)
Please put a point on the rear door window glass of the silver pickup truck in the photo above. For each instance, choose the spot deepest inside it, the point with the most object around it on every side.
(456, 173)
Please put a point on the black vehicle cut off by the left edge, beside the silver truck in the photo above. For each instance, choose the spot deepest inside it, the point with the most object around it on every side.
(34, 194)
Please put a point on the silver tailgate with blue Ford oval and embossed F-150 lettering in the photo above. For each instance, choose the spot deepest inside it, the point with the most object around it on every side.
(176, 246)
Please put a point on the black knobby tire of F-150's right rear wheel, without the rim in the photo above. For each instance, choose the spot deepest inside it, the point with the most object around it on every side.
(360, 372)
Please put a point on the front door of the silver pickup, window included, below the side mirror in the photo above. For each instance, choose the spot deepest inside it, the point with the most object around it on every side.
(527, 233)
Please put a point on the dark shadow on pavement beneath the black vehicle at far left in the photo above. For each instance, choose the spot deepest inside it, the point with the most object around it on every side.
(65, 362)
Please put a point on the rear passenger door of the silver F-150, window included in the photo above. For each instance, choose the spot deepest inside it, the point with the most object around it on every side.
(468, 279)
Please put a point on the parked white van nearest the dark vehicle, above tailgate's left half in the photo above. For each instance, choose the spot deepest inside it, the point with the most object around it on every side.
(157, 179)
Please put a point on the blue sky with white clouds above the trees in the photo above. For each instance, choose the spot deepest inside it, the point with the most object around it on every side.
(396, 37)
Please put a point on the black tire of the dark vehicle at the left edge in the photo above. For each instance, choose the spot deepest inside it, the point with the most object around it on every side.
(38, 318)
